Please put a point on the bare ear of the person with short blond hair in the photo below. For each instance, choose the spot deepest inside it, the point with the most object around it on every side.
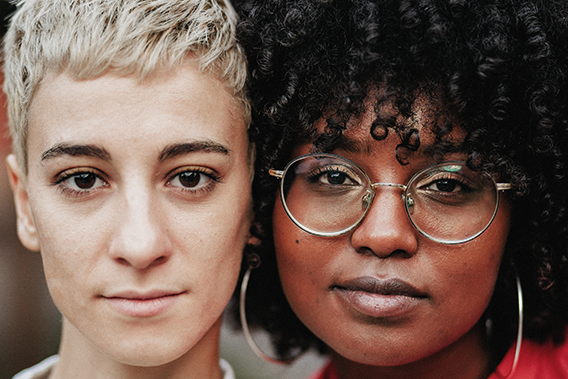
(26, 226)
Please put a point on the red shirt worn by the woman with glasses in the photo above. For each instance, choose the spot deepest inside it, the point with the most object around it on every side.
(536, 361)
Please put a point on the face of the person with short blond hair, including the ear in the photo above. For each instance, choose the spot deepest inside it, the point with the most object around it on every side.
(138, 196)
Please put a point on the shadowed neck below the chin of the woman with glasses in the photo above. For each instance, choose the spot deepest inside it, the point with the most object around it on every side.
(467, 358)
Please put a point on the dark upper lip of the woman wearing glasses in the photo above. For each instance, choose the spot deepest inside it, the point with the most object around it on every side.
(391, 286)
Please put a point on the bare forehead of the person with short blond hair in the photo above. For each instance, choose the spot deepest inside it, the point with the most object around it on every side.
(159, 109)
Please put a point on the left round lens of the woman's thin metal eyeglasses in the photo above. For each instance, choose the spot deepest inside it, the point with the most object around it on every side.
(324, 194)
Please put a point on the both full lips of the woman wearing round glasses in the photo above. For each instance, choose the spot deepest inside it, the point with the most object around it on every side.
(379, 298)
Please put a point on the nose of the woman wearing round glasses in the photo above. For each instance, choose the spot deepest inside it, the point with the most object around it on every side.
(386, 229)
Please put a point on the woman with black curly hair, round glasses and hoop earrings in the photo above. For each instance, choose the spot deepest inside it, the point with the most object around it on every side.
(411, 188)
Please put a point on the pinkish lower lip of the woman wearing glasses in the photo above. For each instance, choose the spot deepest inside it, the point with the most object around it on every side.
(379, 306)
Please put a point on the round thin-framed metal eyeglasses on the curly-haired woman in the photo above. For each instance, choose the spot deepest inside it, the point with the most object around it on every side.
(327, 195)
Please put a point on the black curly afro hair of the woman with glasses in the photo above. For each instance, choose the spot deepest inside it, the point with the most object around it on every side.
(498, 67)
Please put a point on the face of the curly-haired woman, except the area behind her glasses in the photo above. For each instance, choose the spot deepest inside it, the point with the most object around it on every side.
(383, 294)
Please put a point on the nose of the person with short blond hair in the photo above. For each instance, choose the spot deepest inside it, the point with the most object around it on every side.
(140, 239)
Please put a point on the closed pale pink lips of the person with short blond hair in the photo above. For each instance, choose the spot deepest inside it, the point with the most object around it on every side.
(142, 305)
